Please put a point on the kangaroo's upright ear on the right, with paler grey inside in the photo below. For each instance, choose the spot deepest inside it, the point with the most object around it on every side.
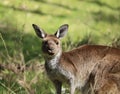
(61, 32)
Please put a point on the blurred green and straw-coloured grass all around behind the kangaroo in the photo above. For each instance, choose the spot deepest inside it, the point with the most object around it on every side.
(21, 62)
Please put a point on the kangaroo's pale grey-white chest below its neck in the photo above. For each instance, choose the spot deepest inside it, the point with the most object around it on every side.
(56, 72)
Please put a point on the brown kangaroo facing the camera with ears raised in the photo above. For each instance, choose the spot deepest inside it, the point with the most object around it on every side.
(93, 69)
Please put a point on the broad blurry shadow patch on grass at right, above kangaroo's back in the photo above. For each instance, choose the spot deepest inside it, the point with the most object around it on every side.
(110, 18)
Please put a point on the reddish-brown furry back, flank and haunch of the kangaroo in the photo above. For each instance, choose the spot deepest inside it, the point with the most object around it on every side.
(101, 61)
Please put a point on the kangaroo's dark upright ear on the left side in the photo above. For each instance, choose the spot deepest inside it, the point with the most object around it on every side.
(40, 33)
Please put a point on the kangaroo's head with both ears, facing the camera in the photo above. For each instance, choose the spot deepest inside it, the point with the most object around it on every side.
(51, 45)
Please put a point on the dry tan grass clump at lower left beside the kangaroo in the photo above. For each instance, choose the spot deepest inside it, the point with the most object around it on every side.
(14, 70)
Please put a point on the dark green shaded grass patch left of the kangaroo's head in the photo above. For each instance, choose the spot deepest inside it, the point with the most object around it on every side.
(16, 42)
